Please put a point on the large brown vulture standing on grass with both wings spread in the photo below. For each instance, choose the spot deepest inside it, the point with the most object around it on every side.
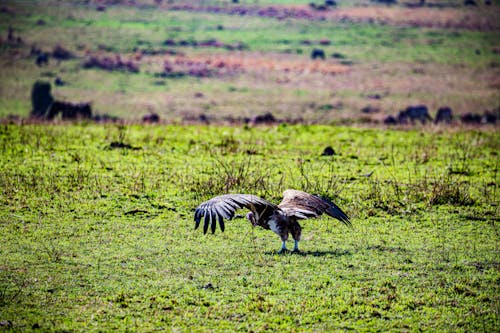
(282, 219)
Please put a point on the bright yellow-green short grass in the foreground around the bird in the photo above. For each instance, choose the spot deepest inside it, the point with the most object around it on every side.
(100, 239)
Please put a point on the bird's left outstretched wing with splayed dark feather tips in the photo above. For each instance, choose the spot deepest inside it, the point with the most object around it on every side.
(223, 207)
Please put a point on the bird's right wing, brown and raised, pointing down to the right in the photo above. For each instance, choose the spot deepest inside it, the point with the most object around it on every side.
(303, 205)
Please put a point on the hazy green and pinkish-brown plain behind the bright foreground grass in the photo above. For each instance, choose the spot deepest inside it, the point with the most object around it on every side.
(209, 62)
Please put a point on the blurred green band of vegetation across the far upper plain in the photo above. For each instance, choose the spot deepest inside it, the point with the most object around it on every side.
(122, 29)
